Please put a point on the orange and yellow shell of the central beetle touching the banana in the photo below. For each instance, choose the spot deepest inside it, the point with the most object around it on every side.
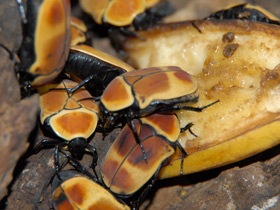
(146, 86)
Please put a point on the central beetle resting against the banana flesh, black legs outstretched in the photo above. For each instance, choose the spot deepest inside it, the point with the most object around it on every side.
(140, 93)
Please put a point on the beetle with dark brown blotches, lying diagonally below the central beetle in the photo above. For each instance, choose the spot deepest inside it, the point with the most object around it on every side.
(124, 170)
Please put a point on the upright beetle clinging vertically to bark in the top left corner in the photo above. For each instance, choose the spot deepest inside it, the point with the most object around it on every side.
(46, 42)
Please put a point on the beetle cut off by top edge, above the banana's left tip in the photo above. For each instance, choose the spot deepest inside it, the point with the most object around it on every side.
(119, 13)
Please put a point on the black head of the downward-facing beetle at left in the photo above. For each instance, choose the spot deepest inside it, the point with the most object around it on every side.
(77, 147)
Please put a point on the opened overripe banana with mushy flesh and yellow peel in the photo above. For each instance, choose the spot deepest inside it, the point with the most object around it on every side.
(234, 61)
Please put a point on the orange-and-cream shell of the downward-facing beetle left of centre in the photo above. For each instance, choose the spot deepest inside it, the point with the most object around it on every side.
(66, 115)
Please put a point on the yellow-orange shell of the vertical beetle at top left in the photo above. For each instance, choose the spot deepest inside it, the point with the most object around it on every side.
(52, 41)
